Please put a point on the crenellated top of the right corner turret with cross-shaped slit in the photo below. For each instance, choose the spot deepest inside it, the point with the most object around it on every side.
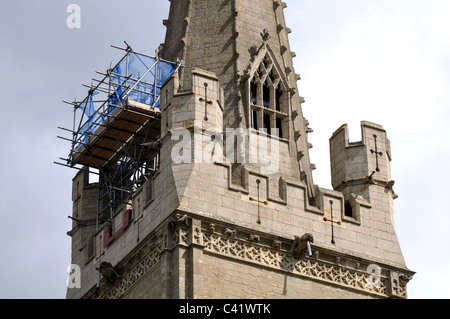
(364, 162)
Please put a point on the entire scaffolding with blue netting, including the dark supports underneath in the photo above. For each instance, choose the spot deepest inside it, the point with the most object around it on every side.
(117, 127)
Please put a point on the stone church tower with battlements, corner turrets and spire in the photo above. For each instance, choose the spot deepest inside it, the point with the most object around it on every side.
(232, 210)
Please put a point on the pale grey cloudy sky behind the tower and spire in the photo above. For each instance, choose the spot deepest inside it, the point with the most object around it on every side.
(383, 61)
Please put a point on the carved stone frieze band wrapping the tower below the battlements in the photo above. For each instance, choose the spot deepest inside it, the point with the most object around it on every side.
(246, 246)
